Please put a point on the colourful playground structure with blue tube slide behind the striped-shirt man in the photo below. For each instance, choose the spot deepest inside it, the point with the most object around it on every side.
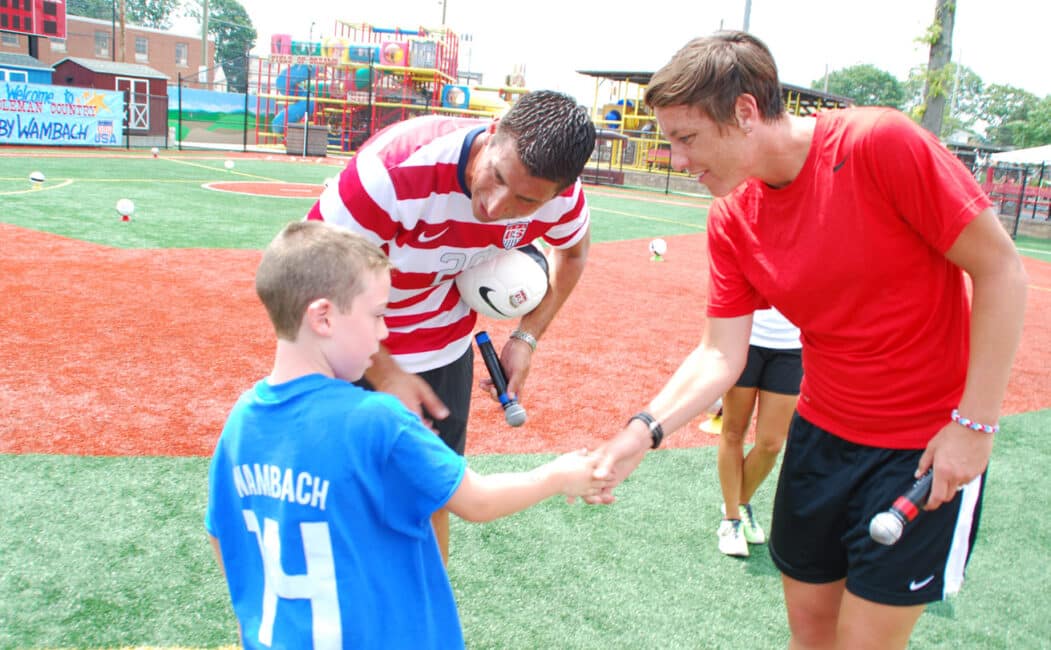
(362, 79)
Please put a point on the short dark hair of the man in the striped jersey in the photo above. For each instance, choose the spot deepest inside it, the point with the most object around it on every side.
(553, 135)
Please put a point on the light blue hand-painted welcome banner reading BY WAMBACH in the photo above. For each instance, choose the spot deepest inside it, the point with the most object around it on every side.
(42, 114)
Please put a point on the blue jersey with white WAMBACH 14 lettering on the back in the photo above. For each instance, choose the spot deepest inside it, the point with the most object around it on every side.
(321, 496)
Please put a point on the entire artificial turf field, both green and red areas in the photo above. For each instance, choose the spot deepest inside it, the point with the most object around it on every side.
(127, 343)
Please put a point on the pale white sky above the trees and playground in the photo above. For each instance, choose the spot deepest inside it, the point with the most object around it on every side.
(1000, 40)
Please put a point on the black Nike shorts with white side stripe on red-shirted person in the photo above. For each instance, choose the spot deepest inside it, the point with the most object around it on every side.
(829, 492)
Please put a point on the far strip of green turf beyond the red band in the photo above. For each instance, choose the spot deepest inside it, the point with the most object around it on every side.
(173, 210)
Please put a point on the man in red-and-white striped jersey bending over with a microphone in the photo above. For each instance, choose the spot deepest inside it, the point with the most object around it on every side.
(441, 195)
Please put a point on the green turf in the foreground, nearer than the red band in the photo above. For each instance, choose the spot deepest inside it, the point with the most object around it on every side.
(112, 553)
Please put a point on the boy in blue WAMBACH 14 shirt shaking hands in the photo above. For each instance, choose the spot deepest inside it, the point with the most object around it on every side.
(321, 493)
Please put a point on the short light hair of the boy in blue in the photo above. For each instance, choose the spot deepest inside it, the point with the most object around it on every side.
(310, 260)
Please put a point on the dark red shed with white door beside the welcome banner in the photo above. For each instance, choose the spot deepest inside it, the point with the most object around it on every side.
(146, 92)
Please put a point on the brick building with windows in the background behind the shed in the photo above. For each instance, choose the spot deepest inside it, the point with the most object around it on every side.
(87, 38)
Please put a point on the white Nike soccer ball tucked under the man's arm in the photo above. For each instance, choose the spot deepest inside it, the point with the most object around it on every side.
(508, 286)
